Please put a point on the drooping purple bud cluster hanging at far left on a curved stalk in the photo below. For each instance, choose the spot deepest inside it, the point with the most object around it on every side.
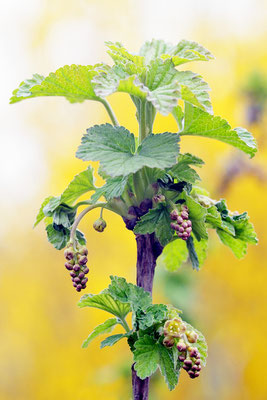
(76, 264)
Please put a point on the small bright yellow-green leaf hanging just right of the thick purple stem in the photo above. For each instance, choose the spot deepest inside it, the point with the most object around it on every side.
(174, 255)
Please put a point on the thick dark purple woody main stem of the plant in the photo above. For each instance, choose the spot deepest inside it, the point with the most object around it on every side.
(148, 250)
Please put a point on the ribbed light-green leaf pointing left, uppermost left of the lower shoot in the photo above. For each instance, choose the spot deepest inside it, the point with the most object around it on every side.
(104, 301)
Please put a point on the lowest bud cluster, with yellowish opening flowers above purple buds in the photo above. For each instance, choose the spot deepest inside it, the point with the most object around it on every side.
(188, 355)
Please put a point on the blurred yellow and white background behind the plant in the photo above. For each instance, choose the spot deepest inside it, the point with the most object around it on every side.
(41, 327)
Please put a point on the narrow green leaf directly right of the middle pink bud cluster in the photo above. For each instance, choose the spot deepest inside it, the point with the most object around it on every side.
(197, 214)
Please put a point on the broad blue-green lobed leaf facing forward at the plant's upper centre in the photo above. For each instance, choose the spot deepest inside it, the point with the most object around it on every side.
(114, 147)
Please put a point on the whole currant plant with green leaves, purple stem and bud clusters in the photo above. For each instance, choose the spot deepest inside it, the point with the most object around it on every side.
(153, 187)
